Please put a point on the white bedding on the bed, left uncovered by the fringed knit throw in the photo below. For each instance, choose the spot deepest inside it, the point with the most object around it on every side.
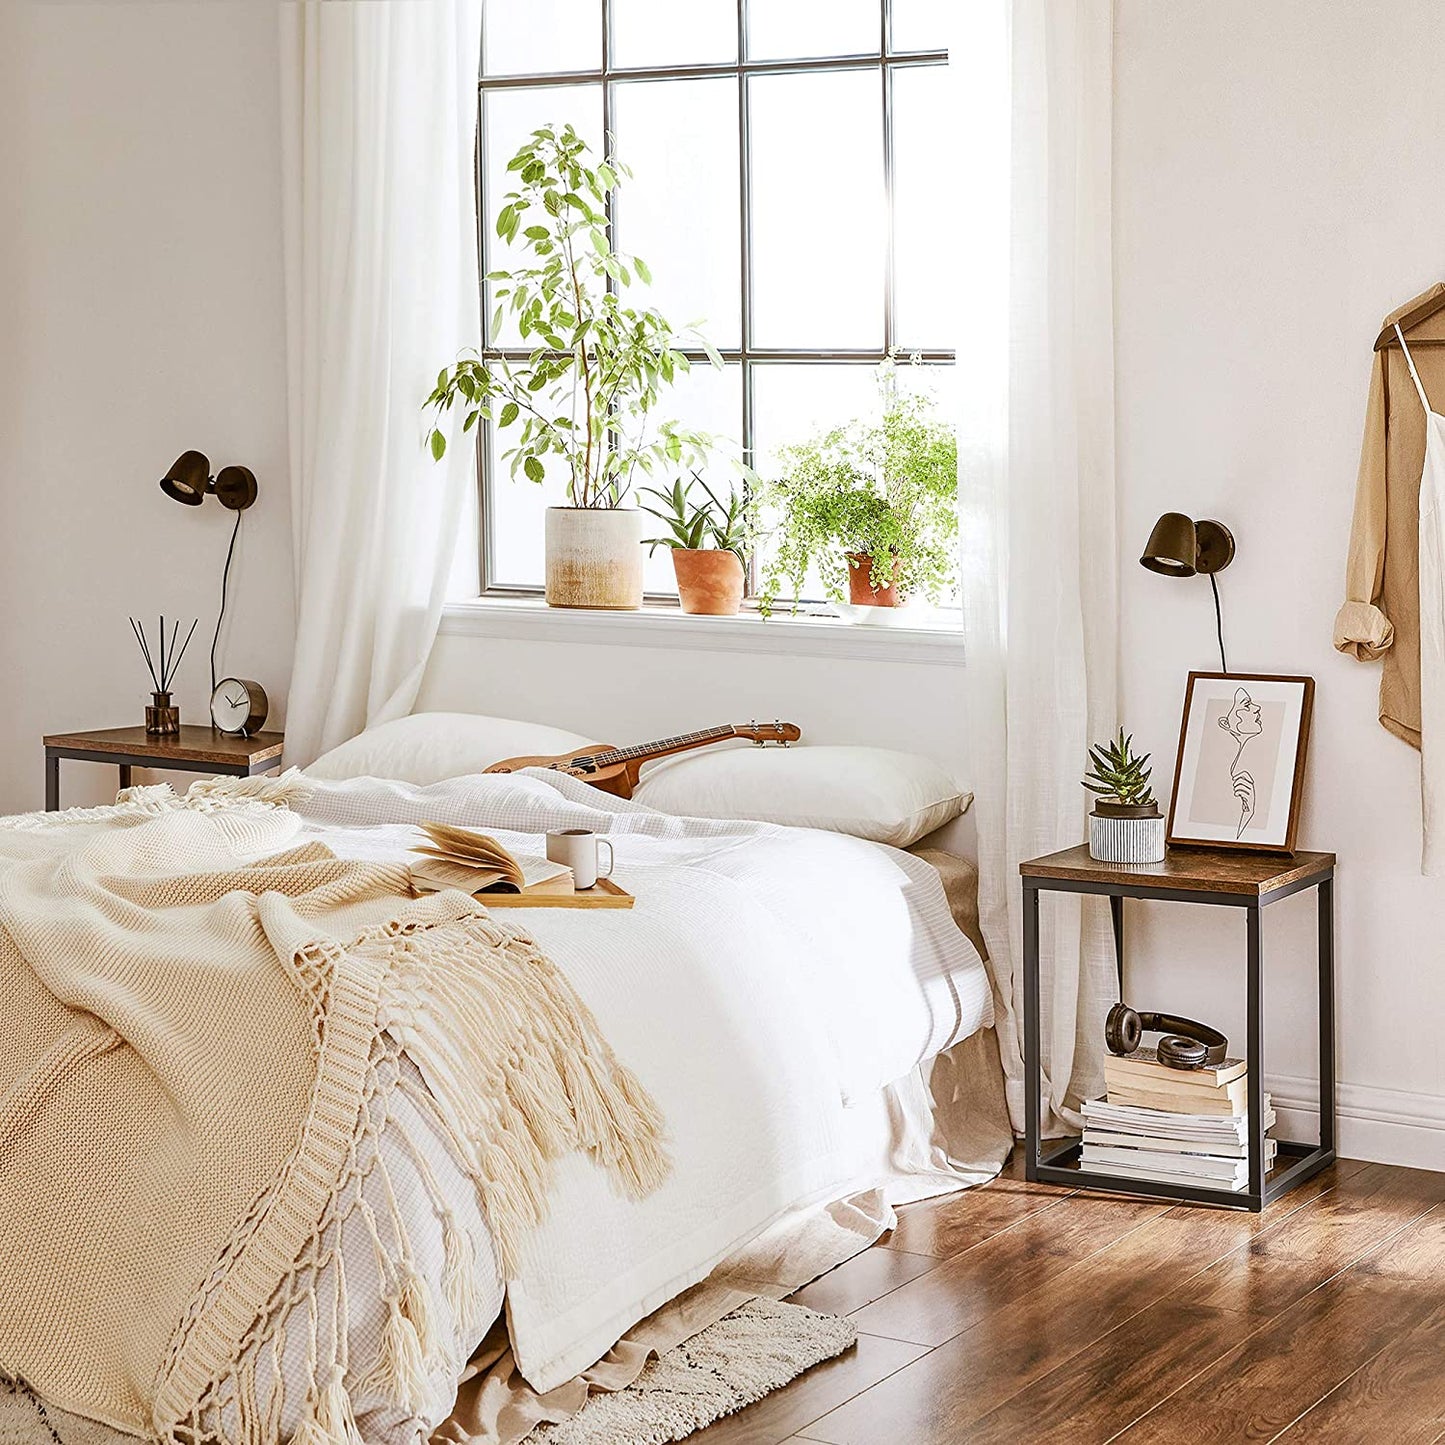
(808, 980)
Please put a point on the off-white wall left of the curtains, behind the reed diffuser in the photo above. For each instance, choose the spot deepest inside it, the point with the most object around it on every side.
(142, 314)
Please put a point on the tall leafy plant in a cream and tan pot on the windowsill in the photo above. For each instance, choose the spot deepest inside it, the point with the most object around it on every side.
(593, 379)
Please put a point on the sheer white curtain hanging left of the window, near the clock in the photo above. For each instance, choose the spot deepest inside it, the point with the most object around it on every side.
(379, 112)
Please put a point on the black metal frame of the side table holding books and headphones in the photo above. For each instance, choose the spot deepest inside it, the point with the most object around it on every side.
(1307, 1160)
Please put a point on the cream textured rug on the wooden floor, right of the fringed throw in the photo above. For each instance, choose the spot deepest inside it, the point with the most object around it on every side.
(748, 1355)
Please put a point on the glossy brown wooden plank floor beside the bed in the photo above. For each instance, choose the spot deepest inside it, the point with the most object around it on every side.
(1022, 1313)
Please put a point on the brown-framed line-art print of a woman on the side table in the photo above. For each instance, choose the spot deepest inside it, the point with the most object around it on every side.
(1241, 769)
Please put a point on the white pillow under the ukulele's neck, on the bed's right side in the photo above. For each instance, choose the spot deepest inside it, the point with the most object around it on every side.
(869, 793)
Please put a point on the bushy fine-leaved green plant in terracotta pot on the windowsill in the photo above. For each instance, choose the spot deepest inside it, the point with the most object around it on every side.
(872, 506)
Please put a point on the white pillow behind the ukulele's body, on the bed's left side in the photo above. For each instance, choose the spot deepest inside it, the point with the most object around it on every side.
(427, 748)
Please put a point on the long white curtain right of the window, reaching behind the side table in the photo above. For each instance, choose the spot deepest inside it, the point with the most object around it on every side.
(1037, 470)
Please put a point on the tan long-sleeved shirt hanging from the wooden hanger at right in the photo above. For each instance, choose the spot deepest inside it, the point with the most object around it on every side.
(1382, 612)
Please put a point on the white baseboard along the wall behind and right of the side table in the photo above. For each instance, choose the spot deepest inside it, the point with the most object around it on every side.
(1381, 1125)
